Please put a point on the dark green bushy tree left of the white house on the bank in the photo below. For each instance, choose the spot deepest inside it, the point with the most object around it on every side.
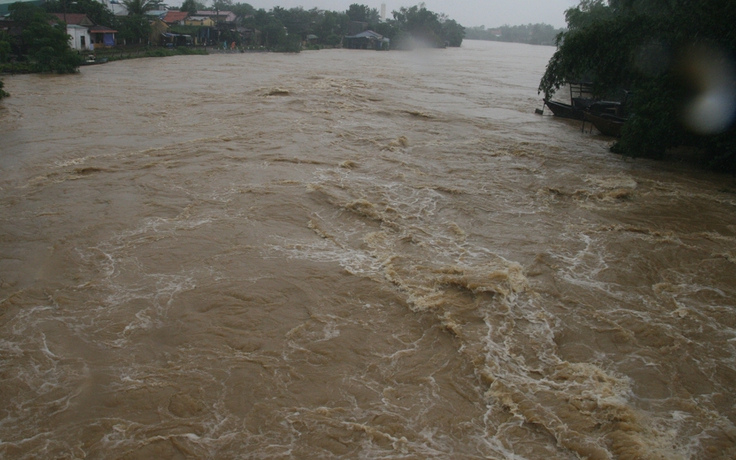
(43, 40)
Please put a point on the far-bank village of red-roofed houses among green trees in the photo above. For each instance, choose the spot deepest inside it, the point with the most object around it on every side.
(98, 25)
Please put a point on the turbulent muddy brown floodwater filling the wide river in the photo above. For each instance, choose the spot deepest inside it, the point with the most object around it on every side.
(352, 254)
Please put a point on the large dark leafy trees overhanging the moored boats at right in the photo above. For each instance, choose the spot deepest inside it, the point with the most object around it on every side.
(676, 60)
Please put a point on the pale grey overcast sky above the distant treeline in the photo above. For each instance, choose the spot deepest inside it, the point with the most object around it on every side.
(469, 13)
